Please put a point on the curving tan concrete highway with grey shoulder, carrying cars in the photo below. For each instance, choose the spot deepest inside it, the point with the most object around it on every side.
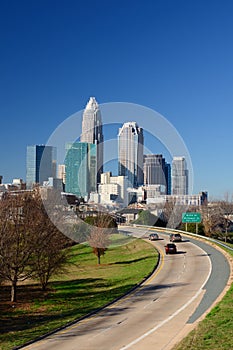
(158, 313)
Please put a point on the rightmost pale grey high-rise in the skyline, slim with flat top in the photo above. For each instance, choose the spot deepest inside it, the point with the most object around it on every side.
(179, 176)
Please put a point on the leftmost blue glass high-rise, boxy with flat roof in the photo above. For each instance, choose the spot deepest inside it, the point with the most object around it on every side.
(40, 164)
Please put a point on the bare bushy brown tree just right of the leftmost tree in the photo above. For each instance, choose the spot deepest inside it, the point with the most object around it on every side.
(49, 256)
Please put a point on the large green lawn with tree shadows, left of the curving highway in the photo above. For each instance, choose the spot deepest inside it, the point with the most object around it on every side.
(84, 288)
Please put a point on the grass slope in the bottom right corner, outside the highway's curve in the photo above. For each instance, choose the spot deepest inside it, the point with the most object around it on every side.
(215, 332)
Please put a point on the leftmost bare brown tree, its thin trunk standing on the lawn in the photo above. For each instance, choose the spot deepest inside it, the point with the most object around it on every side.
(16, 240)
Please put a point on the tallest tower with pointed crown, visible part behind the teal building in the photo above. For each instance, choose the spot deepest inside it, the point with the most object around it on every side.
(92, 131)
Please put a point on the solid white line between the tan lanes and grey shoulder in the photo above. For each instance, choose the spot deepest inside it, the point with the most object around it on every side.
(171, 316)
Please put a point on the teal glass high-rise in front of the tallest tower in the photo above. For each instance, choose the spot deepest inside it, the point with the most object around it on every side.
(80, 168)
